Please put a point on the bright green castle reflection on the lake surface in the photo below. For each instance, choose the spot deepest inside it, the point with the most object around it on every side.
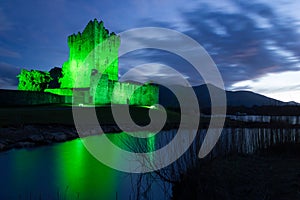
(81, 176)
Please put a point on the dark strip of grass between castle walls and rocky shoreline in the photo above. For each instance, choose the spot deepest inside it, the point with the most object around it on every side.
(62, 114)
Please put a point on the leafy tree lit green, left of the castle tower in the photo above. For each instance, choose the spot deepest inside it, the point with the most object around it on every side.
(33, 80)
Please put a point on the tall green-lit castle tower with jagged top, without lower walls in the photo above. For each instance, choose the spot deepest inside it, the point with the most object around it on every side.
(77, 72)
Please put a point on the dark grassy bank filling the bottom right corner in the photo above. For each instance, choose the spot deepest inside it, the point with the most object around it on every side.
(272, 174)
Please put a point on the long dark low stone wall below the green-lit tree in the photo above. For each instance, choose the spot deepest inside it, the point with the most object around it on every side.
(24, 98)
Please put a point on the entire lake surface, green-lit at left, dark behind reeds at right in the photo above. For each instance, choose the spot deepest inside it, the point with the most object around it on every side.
(68, 171)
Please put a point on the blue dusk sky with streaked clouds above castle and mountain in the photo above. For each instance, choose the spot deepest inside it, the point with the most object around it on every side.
(255, 44)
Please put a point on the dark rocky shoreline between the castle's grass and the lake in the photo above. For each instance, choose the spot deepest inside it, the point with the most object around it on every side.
(34, 135)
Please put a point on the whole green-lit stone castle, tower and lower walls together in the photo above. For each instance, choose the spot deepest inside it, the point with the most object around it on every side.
(91, 72)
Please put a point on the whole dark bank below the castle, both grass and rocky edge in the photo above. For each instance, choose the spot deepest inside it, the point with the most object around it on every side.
(23, 127)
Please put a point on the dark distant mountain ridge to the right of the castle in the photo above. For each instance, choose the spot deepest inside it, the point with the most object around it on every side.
(237, 98)
